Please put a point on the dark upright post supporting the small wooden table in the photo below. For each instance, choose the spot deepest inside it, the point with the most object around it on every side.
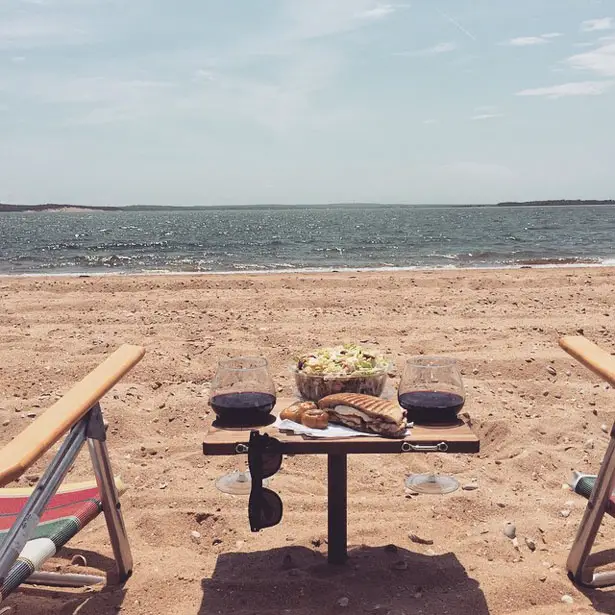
(337, 486)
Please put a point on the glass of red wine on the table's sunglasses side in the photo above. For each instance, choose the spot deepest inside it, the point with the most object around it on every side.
(242, 395)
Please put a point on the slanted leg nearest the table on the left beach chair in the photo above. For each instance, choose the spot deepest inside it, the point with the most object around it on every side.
(109, 496)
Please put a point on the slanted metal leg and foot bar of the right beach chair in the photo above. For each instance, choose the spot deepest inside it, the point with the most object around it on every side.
(578, 564)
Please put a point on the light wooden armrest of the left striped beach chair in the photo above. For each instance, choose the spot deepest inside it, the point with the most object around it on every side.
(19, 454)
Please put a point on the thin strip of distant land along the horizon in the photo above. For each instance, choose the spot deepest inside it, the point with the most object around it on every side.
(57, 207)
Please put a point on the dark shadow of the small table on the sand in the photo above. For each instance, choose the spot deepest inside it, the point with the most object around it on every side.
(298, 581)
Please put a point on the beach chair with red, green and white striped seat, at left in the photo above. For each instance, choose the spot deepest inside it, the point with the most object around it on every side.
(35, 523)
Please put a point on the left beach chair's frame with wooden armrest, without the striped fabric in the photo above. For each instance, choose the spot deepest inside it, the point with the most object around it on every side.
(84, 423)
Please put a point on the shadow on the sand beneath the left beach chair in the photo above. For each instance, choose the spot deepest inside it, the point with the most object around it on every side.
(100, 600)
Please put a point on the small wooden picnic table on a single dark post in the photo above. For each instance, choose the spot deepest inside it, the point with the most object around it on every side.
(456, 438)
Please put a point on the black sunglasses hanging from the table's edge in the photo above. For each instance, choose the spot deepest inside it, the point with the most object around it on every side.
(264, 460)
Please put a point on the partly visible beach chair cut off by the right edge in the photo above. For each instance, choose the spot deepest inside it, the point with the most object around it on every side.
(598, 489)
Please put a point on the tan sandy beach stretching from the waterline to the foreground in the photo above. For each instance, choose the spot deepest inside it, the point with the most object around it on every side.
(502, 325)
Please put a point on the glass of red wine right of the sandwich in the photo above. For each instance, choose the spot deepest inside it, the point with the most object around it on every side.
(432, 392)
